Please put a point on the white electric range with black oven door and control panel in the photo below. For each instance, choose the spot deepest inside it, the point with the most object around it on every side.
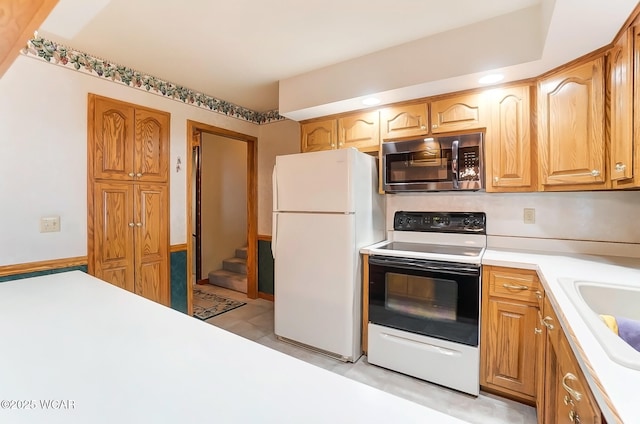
(424, 297)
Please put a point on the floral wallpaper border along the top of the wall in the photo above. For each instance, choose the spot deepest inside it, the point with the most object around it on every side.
(58, 54)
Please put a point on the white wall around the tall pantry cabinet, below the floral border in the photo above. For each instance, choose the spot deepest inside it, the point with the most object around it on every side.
(43, 166)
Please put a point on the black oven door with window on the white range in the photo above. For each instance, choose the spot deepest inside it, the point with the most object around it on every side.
(432, 298)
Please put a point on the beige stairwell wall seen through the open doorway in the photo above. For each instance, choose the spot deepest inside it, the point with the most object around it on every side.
(224, 199)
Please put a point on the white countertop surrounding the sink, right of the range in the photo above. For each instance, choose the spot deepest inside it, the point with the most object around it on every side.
(619, 384)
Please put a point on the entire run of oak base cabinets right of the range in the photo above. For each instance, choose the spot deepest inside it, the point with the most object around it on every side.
(524, 353)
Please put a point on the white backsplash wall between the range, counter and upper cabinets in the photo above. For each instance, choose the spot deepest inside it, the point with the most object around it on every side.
(593, 216)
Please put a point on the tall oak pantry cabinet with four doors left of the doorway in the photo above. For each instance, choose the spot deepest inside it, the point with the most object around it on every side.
(128, 219)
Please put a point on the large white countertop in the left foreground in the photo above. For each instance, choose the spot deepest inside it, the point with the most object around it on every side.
(119, 358)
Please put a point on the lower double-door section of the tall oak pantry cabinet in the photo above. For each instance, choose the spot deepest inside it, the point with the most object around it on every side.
(130, 238)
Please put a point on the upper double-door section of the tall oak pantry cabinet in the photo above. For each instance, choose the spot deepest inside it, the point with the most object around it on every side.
(130, 143)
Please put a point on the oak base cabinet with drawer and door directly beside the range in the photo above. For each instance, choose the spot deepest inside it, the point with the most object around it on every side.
(509, 341)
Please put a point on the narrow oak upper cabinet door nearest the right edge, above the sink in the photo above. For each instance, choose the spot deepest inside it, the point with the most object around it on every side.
(621, 79)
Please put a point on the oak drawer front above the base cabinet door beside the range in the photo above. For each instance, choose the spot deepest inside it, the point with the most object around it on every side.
(514, 284)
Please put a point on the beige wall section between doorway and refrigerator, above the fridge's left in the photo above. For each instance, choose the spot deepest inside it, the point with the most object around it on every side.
(277, 138)
